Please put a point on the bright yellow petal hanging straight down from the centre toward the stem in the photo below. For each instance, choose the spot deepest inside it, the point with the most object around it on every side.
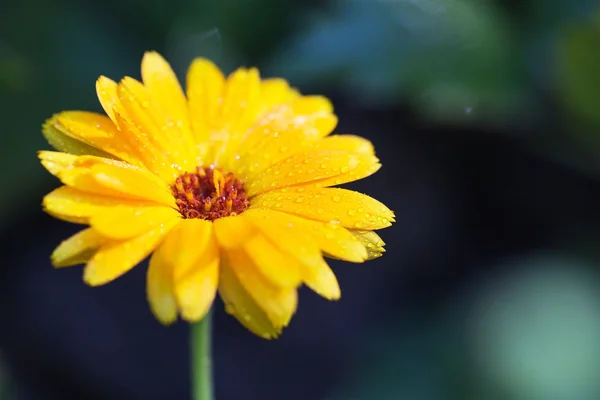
(192, 254)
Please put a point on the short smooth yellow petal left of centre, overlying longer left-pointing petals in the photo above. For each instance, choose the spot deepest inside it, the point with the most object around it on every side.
(123, 222)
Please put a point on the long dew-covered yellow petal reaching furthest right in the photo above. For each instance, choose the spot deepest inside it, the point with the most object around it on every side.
(348, 208)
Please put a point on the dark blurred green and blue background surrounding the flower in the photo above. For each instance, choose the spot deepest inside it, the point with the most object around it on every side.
(486, 115)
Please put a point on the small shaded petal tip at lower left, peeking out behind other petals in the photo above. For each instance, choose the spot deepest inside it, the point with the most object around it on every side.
(77, 249)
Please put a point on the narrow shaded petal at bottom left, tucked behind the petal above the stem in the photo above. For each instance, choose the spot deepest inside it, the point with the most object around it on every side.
(159, 289)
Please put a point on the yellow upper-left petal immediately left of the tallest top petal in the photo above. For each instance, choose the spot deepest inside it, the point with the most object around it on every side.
(164, 141)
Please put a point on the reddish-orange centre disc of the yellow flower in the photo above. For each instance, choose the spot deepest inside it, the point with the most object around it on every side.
(209, 194)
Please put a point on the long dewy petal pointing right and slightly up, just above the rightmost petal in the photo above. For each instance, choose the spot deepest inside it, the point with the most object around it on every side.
(311, 168)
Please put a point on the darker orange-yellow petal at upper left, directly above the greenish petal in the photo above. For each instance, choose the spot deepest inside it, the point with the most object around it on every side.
(95, 130)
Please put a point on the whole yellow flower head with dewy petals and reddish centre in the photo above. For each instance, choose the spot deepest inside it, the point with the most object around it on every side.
(229, 189)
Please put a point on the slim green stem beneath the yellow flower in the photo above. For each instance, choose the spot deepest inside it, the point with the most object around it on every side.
(202, 384)
